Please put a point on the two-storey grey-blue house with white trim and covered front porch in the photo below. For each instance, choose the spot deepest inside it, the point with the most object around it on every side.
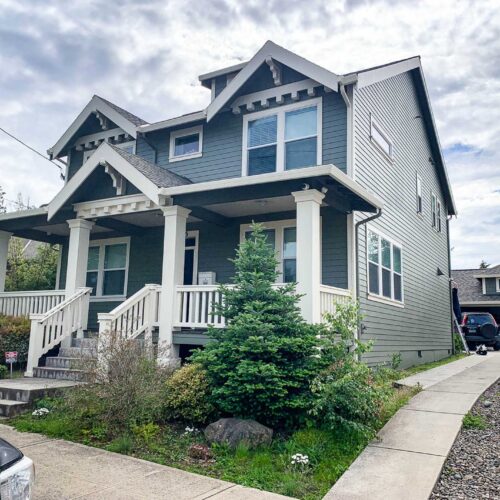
(345, 172)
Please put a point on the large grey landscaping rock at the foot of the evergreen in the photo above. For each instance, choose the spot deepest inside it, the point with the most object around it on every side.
(235, 431)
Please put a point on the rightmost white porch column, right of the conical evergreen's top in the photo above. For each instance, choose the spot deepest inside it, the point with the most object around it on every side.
(309, 252)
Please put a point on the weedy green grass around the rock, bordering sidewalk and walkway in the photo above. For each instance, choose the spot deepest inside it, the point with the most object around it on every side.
(267, 468)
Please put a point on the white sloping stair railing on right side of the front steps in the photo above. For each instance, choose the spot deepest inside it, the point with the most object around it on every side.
(137, 315)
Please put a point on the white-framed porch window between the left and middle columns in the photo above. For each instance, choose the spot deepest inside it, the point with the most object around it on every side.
(107, 267)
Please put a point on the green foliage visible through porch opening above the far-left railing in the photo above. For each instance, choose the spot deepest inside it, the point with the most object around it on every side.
(31, 273)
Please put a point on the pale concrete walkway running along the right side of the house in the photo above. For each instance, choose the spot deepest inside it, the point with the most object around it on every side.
(406, 459)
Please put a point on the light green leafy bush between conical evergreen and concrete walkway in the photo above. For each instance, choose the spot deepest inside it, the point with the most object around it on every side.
(346, 395)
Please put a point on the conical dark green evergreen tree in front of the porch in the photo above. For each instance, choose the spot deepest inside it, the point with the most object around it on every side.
(260, 366)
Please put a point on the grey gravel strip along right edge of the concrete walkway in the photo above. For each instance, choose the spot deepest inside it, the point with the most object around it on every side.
(472, 470)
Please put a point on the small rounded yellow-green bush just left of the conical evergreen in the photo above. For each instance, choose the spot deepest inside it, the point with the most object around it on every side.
(188, 395)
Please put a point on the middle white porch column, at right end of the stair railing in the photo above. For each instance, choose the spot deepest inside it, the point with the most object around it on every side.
(174, 243)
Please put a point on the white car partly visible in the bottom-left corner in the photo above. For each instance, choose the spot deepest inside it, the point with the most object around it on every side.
(17, 473)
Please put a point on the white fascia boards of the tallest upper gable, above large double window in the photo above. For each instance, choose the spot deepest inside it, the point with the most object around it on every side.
(270, 49)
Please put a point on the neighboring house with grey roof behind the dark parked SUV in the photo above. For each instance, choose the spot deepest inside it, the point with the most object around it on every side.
(479, 290)
